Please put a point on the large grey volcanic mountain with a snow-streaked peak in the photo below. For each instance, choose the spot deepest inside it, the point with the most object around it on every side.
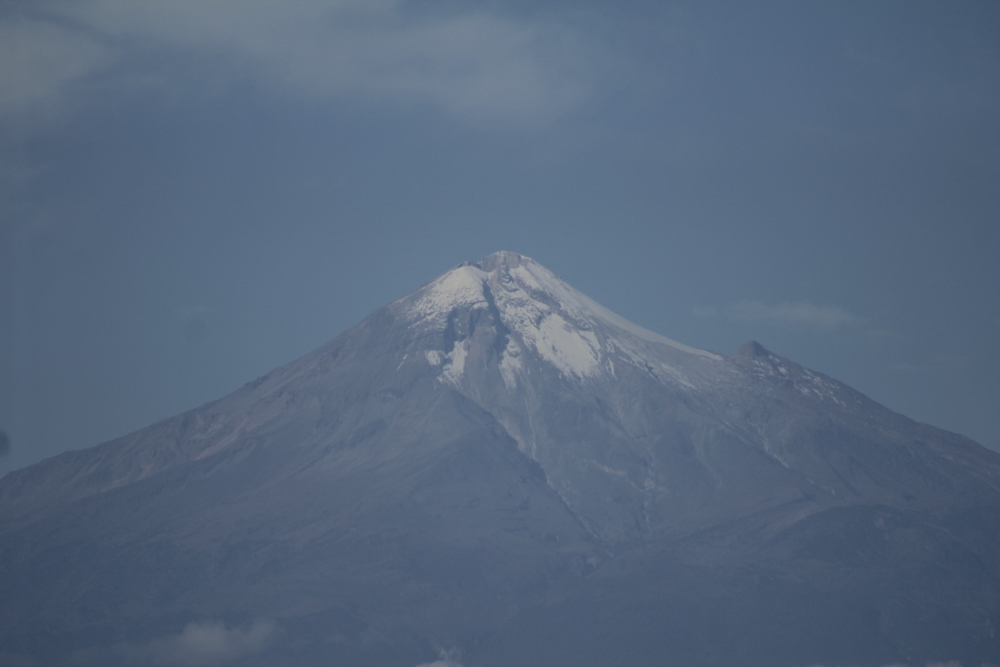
(495, 470)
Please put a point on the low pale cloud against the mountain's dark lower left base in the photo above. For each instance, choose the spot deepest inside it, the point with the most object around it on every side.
(200, 645)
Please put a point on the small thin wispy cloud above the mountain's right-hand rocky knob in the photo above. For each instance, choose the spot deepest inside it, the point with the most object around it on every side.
(799, 314)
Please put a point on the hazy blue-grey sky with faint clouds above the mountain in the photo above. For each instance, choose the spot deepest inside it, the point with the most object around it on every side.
(194, 193)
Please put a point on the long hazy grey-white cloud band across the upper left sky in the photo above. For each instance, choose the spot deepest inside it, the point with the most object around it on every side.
(473, 64)
